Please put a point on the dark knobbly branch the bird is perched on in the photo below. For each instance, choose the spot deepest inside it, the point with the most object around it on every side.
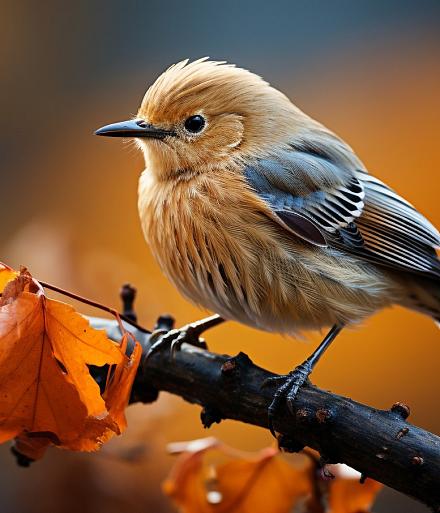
(380, 444)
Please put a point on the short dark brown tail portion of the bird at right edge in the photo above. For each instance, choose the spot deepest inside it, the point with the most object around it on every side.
(424, 296)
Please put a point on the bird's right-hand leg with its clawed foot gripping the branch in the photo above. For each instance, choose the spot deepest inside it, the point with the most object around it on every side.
(292, 382)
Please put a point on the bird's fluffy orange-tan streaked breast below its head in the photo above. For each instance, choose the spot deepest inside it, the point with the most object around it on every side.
(213, 240)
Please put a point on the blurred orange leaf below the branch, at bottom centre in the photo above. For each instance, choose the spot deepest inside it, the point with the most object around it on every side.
(265, 483)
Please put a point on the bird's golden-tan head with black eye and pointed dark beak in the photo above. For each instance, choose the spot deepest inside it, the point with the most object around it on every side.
(203, 114)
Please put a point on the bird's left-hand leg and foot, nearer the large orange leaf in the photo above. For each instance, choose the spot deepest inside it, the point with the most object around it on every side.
(189, 334)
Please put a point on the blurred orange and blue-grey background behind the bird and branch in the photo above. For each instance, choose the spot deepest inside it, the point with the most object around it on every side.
(370, 70)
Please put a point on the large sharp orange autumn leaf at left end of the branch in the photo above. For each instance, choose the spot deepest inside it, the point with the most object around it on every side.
(47, 395)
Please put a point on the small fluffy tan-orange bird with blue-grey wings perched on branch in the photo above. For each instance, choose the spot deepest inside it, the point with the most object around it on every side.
(261, 214)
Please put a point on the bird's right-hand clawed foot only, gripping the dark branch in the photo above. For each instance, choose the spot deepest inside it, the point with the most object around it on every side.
(287, 390)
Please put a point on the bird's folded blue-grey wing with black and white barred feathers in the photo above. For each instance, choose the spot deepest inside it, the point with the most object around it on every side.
(327, 204)
